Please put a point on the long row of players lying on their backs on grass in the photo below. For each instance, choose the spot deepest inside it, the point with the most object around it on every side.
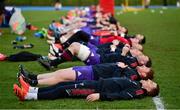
(115, 70)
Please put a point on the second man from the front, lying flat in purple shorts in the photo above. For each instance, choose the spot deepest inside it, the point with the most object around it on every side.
(94, 72)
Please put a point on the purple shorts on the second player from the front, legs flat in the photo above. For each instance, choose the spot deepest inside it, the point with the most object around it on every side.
(84, 72)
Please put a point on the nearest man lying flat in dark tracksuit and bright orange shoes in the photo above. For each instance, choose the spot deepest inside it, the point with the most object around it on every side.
(104, 89)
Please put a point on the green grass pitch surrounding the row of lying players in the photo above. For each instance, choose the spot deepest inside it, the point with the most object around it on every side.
(163, 46)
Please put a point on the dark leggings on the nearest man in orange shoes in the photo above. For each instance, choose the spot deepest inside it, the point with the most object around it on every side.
(60, 90)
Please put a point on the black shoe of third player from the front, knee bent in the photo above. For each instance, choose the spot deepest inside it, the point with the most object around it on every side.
(45, 63)
